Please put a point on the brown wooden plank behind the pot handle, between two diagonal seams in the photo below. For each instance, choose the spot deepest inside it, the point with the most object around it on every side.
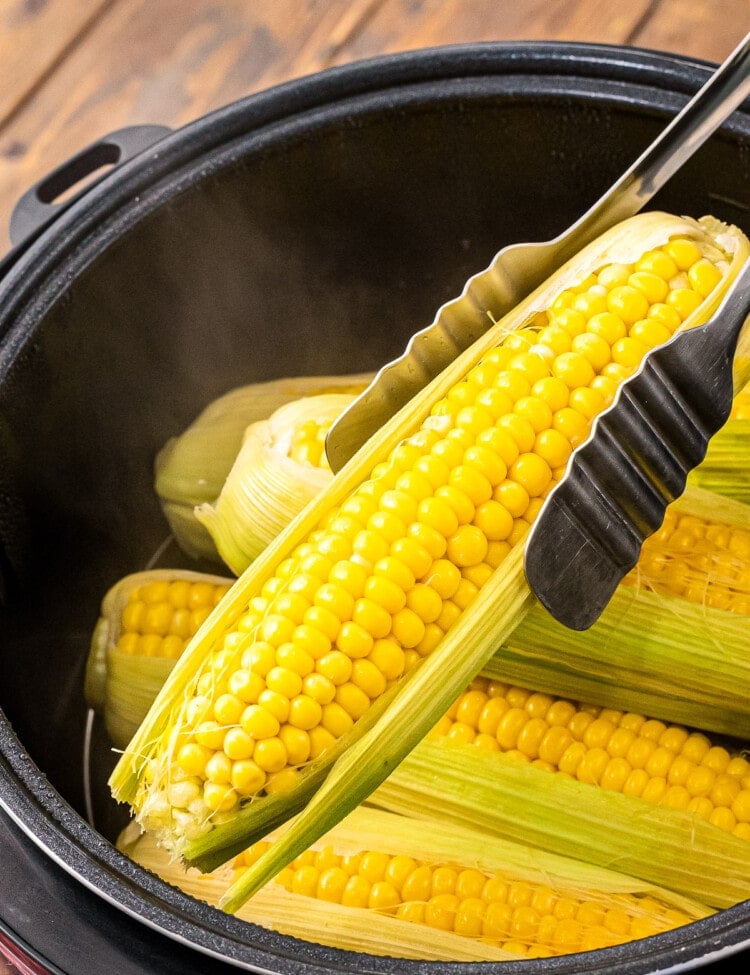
(166, 63)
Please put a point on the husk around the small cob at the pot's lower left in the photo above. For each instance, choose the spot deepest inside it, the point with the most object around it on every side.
(121, 687)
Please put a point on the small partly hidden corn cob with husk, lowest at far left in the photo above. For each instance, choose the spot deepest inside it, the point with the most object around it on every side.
(145, 622)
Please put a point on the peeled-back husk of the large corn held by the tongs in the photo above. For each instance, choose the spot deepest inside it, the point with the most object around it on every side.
(142, 773)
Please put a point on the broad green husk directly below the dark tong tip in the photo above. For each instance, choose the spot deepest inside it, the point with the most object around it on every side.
(653, 654)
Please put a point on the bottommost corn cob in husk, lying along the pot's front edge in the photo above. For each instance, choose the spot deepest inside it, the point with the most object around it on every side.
(388, 884)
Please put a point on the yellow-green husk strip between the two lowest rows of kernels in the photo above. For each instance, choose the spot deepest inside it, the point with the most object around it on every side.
(505, 797)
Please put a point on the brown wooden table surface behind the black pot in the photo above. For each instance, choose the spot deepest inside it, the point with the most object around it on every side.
(73, 70)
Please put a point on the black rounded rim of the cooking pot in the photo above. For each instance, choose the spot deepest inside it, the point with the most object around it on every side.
(38, 274)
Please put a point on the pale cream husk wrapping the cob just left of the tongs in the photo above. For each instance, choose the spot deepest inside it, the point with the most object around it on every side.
(266, 487)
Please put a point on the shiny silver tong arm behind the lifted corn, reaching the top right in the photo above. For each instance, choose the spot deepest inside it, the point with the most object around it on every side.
(519, 268)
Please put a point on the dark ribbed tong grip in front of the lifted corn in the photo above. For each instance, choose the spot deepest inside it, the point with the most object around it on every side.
(636, 461)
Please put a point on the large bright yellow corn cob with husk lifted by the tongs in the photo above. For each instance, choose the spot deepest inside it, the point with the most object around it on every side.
(349, 598)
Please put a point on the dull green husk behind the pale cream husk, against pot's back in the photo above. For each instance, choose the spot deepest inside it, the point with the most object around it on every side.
(191, 468)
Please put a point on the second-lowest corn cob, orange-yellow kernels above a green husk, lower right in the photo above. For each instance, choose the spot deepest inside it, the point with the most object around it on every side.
(664, 803)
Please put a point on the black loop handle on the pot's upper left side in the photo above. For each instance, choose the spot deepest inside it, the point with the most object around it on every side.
(37, 207)
